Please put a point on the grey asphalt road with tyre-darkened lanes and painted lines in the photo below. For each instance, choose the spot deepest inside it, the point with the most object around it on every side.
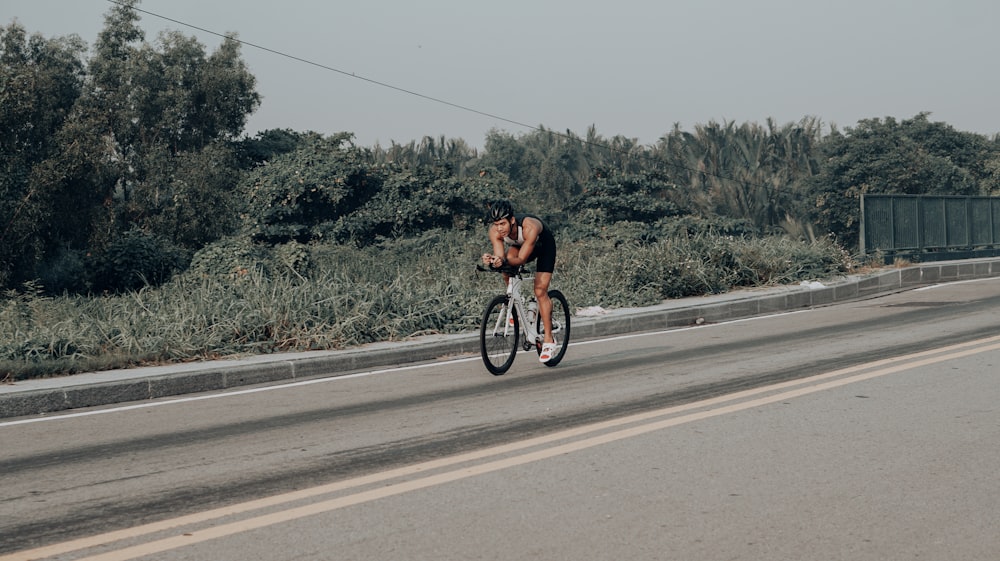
(864, 430)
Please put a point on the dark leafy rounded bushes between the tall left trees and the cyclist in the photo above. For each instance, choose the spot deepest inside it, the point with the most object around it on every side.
(328, 189)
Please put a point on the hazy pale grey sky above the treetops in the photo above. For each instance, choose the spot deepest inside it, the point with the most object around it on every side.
(628, 67)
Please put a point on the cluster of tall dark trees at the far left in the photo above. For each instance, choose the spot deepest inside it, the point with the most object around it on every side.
(88, 160)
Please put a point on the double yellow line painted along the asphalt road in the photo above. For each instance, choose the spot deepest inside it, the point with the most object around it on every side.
(812, 384)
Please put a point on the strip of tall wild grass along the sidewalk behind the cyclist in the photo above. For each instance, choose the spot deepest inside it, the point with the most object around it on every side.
(346, 297)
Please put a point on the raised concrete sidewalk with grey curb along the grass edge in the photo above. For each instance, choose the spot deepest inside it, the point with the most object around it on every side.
(33, 397)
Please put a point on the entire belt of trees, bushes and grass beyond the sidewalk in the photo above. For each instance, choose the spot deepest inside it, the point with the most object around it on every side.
(138, 225)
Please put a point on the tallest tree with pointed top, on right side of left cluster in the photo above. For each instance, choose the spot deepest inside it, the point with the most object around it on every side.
(144, 121)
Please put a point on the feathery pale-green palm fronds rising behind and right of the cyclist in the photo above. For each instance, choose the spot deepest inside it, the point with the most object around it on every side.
(749, 172)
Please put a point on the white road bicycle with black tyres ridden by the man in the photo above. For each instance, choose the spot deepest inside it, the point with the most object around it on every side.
(509, 317)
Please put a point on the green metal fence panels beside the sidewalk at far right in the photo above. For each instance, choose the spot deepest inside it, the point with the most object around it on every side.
(917, 223)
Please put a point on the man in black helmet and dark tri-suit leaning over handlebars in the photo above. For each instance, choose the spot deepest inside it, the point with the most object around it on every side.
(526, 239)
